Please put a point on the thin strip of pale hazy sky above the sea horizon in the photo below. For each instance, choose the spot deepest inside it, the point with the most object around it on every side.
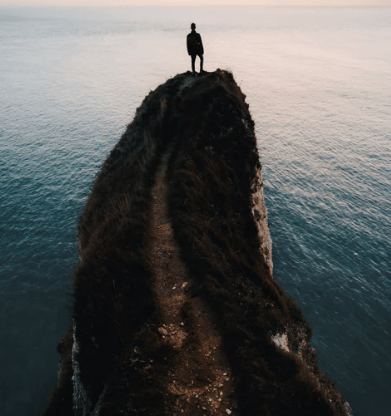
(195, 2)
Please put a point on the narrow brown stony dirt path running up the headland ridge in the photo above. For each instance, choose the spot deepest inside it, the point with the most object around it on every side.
(200, 381)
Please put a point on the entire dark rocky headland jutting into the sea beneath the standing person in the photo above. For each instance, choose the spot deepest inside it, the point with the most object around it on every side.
(175, 307)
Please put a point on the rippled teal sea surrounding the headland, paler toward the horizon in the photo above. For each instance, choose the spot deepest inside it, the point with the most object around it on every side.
(318, 82)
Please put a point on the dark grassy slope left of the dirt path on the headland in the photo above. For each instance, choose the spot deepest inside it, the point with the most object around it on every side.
(113, 302)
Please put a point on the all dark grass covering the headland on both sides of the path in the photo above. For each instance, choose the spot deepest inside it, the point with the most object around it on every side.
(212, 171)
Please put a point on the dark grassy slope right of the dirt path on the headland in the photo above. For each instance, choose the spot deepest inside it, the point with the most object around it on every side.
(212, 173)
